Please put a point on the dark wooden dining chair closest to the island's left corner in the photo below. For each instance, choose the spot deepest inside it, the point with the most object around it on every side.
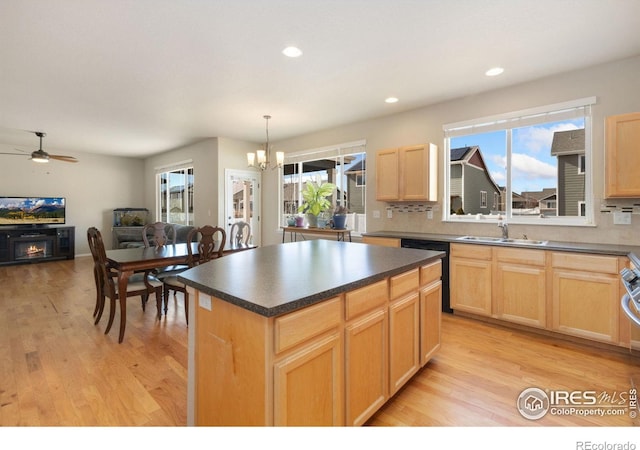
(211, 241)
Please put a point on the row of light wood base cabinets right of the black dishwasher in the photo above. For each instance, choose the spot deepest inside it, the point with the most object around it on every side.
(576, 294)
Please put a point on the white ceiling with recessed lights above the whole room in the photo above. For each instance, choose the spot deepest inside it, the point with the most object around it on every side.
(138, 77)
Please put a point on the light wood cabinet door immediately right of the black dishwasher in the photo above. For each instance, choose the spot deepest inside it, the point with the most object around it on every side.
(471, 285)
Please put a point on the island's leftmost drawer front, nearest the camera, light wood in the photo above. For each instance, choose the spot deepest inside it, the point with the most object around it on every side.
(304, 324)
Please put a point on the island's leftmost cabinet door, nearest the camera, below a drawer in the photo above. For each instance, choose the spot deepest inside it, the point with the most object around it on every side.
(308, 385)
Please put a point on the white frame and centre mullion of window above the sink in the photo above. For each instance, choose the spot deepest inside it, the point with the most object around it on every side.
(507, 122)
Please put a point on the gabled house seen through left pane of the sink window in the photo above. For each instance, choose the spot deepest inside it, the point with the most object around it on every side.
(471, 187)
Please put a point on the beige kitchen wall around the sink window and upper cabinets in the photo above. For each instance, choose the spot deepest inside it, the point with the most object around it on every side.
(615, 86)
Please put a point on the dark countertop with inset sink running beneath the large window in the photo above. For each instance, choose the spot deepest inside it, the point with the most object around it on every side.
(578, 247)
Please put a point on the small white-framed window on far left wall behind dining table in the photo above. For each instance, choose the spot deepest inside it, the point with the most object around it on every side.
(174, 188)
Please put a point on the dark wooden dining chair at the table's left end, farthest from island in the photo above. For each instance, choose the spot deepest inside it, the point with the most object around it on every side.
(140, 284)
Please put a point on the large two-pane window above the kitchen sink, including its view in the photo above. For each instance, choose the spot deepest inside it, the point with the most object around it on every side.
(533, 164)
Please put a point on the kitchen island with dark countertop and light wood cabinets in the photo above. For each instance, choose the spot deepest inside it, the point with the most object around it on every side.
(308, 333)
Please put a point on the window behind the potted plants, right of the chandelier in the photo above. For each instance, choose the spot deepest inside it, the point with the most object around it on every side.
(344, 165)
